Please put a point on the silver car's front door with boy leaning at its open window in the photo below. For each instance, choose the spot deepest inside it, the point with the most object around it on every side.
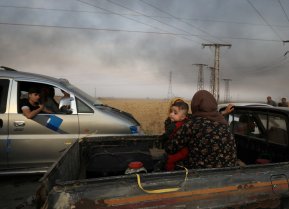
(33, 143)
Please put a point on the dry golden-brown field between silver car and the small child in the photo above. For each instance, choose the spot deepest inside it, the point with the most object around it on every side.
(151, 113)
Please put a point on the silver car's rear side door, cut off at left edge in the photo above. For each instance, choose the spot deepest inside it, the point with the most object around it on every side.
(4, 139)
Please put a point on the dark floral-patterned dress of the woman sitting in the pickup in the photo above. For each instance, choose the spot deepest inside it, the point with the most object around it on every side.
(211, 144)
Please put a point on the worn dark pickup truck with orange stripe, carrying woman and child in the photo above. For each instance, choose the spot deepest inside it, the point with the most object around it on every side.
(91, 173)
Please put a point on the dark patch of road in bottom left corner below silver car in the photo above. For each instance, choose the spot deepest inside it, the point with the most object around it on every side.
(18, 191)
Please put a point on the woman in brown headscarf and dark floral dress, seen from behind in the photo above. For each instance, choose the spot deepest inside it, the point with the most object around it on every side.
(206, 134)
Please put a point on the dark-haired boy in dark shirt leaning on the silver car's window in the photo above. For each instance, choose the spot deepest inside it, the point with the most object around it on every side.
(30, 107)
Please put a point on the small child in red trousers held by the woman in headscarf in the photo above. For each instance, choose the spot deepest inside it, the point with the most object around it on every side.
(178, 116)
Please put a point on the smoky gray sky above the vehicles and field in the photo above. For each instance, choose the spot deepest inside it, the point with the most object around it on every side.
(127, 48)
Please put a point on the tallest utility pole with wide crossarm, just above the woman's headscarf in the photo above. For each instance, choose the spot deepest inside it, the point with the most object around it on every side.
(216, 86)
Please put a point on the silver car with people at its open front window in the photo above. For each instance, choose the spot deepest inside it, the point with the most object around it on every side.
(32, 145)
